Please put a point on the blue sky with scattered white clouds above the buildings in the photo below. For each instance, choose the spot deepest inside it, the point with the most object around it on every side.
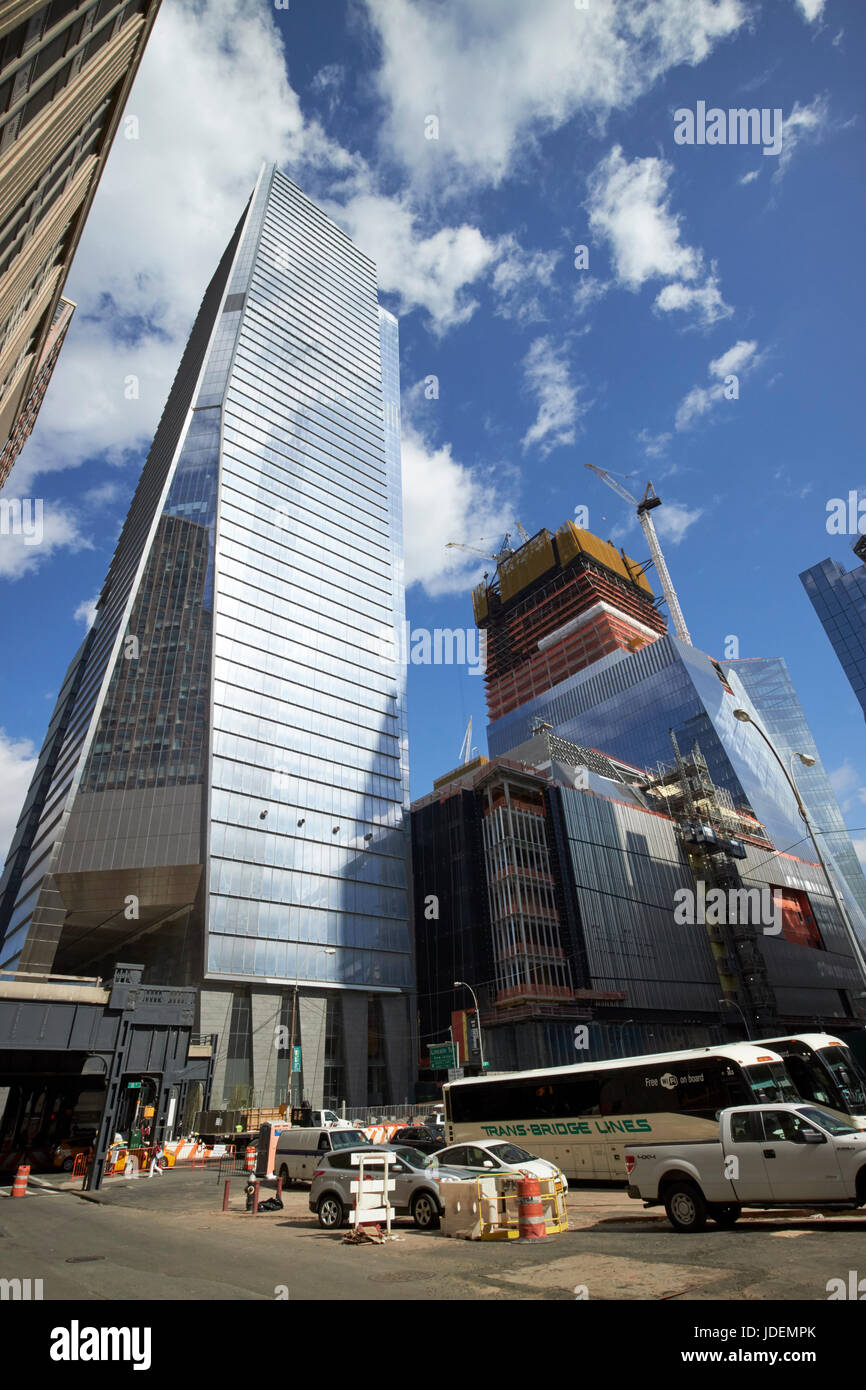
(555, 130)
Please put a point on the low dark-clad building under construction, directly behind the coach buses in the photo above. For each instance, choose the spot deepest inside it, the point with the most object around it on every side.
(550, 879)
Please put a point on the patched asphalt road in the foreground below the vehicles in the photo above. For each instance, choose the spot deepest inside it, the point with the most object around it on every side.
(168, 1239)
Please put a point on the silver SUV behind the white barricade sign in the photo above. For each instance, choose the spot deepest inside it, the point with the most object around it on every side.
(416, 1191)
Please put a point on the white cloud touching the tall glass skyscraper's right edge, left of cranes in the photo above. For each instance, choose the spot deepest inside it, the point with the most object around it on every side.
(447, 501)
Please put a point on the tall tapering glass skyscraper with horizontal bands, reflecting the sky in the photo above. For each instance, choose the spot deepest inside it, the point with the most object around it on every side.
(224, 786)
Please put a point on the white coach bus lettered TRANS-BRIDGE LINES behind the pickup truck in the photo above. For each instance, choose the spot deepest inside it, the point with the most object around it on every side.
(582, 1117)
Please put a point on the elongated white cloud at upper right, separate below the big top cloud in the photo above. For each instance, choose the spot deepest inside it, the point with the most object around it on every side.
(630, 209)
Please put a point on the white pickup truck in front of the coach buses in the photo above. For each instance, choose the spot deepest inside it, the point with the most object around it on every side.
(768, 1156)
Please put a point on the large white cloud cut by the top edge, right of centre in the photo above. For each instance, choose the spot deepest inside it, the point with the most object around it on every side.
(501, 73)
